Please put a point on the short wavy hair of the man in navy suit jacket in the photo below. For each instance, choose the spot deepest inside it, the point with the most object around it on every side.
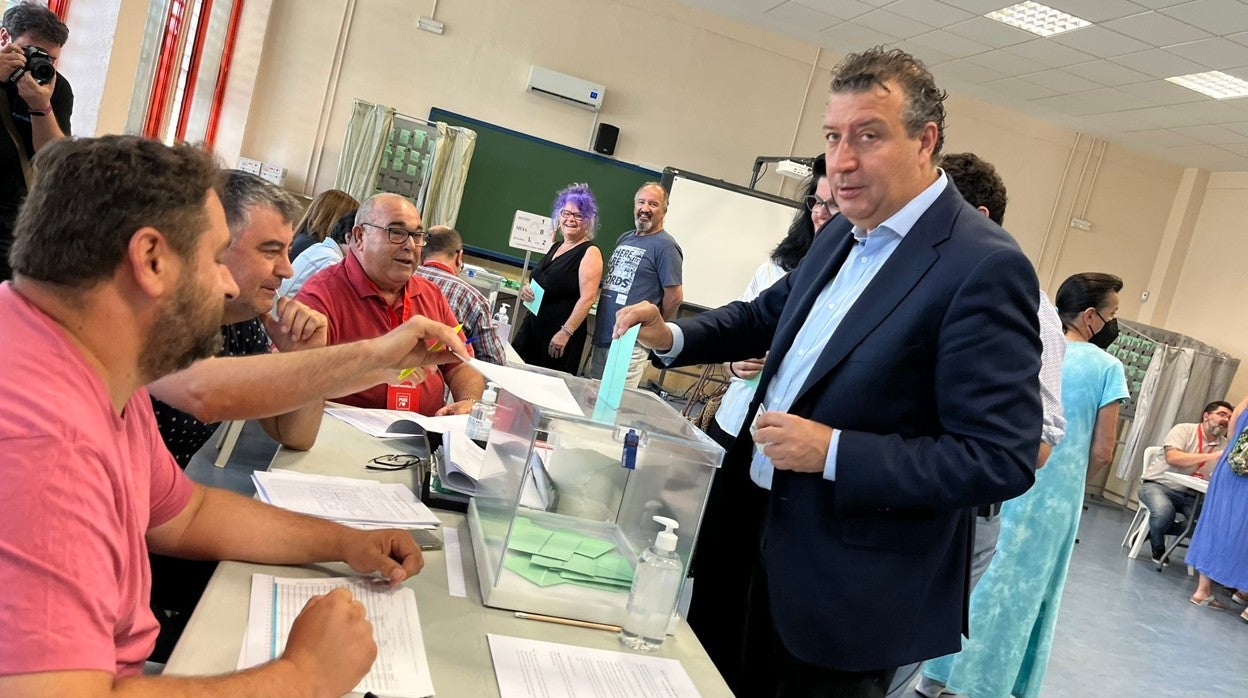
(877, 68)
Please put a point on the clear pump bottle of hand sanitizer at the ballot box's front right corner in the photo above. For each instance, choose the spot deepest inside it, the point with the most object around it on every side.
(653, 597)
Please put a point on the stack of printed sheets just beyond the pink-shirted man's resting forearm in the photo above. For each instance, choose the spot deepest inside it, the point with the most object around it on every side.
(361, 504)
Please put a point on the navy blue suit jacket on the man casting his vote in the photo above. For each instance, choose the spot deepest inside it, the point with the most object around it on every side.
(933, 379)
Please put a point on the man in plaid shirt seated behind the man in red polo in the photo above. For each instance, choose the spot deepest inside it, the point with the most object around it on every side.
(444, 260)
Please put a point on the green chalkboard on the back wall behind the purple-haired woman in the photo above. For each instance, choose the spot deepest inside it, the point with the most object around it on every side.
(514, 172)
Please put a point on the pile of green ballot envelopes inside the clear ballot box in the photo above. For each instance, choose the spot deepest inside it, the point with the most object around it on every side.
(550, 558)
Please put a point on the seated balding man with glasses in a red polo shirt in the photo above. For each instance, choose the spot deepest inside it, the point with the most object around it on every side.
(374, 290)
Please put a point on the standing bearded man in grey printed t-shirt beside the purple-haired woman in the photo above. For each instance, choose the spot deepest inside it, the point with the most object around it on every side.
(647, 265)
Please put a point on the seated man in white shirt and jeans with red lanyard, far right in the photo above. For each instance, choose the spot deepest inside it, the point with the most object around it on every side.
(1190, 450)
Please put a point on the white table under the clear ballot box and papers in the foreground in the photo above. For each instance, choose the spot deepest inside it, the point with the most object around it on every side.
(455, 629)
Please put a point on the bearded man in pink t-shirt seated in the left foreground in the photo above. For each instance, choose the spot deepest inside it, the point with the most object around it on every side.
(120, 242)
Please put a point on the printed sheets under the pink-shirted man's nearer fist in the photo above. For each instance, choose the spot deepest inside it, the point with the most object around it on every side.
(401, 669)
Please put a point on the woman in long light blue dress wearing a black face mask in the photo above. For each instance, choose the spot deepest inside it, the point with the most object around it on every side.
(1014, 610)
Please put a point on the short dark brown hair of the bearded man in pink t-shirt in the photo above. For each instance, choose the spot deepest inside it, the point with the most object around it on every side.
(92, 195)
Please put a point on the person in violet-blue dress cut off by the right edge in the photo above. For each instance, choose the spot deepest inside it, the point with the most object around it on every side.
(1220, 548)
